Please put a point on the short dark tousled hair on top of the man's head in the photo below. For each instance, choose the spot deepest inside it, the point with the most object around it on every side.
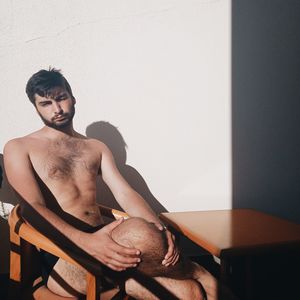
(44, 82)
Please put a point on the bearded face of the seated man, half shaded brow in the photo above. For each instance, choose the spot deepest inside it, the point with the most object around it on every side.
(56, 110)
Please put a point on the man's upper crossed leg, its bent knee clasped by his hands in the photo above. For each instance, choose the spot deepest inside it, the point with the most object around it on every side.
(145, 236)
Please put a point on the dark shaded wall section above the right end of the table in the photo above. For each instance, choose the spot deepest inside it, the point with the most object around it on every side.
(266, 106)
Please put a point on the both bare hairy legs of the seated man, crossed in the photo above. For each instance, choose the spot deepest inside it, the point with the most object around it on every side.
(134, 232)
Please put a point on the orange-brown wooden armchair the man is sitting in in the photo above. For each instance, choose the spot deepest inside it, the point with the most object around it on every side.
(25, 240)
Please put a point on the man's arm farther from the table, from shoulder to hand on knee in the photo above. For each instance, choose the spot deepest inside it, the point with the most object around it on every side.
(20, 175)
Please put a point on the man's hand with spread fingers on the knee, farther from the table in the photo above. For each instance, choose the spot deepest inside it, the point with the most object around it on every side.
(111, 254)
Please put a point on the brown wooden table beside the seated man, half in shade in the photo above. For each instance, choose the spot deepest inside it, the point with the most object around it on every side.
(235, 233)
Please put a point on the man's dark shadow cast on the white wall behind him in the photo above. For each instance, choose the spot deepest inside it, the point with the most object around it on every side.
(110, 135)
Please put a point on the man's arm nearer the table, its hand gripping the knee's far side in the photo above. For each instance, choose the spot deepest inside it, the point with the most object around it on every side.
(132, 202)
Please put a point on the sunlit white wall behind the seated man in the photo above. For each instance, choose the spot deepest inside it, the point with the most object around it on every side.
(158, 70)
